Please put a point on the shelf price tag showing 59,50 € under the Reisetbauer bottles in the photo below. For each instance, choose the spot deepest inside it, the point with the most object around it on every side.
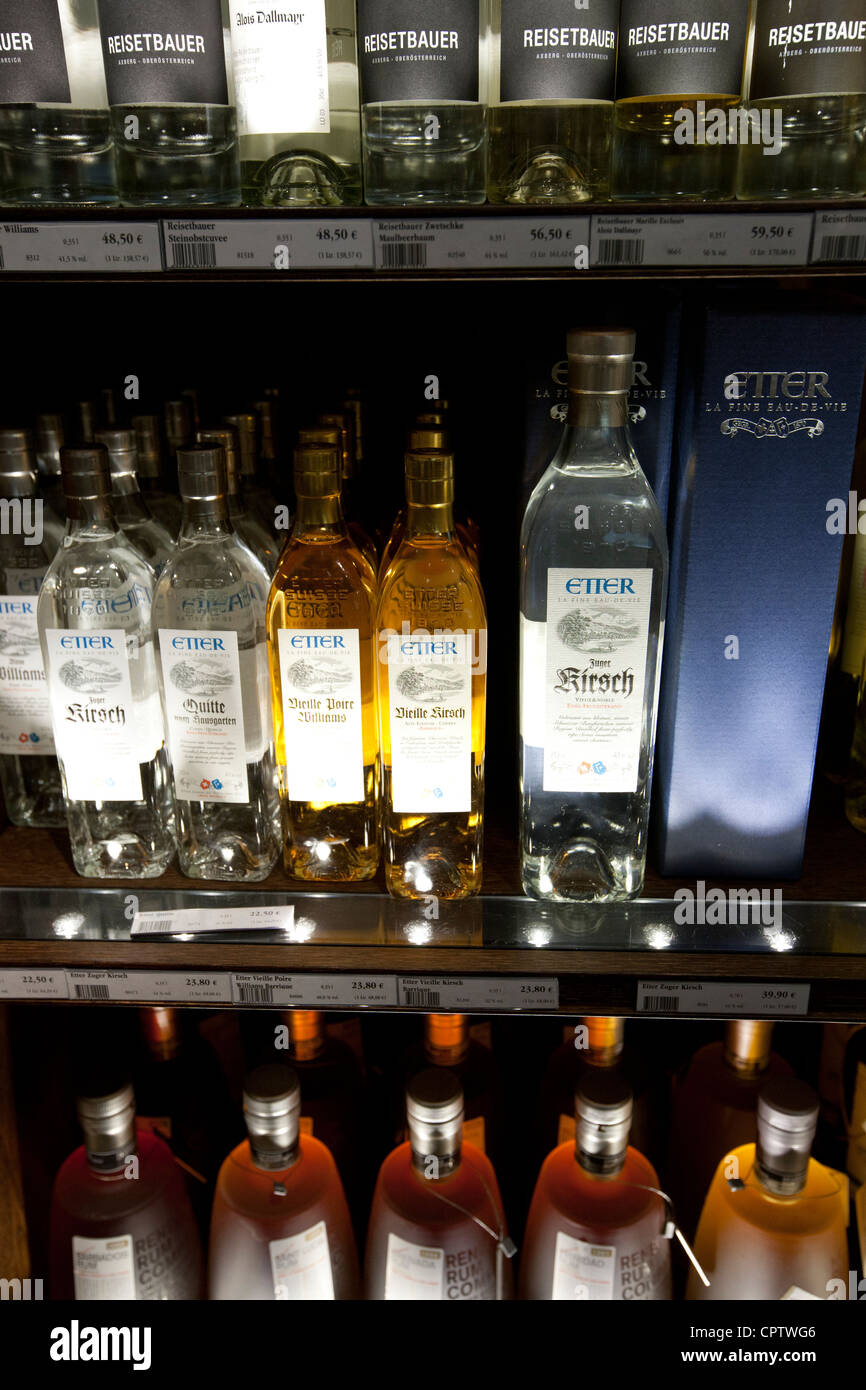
(701, 240)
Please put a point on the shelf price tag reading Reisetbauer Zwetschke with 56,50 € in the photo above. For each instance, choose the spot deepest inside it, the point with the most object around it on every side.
(482, 244)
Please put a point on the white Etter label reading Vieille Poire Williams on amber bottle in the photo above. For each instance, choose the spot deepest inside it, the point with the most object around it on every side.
(320, 675)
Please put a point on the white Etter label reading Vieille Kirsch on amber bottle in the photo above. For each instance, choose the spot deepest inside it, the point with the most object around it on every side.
(430, 696)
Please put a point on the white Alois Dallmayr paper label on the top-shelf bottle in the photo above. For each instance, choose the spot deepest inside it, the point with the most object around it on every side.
(281, 69)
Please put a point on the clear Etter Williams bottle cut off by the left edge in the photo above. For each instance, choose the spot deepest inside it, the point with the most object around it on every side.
(28, 765)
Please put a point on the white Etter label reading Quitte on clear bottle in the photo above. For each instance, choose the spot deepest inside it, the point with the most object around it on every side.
(204, 693)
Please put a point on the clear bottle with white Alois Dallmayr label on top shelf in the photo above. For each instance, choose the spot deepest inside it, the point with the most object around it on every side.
(298, 105)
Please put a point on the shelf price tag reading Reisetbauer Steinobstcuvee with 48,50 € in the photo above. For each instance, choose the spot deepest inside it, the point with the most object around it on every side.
(279, 245)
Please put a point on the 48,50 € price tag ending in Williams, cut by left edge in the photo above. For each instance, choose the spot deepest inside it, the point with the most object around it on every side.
(81, 247)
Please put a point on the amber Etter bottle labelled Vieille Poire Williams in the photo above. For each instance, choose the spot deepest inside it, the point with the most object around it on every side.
(322, 615)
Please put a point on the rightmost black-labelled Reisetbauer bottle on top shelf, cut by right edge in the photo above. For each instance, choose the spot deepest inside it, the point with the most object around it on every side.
(808, 101)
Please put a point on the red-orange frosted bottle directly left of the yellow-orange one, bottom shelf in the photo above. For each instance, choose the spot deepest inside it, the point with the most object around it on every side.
(597, 1223)
